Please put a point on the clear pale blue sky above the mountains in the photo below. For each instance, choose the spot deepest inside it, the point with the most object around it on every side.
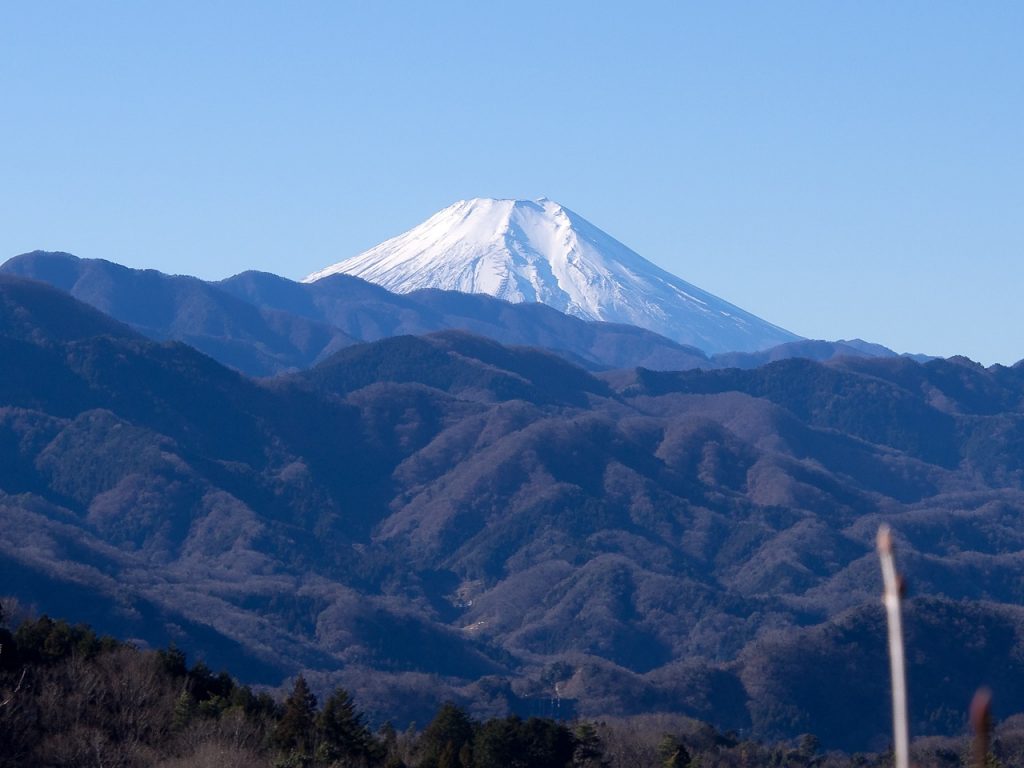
(840, 169)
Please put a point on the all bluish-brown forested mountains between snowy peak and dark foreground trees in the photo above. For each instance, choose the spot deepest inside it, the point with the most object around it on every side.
(444, 517)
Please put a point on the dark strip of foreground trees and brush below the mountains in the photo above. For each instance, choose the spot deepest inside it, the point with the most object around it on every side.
(71, 698)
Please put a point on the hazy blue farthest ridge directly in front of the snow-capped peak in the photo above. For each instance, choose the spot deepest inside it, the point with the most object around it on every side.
(264, 325)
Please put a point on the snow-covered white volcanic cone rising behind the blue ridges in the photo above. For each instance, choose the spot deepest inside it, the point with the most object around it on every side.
(540, 251)
